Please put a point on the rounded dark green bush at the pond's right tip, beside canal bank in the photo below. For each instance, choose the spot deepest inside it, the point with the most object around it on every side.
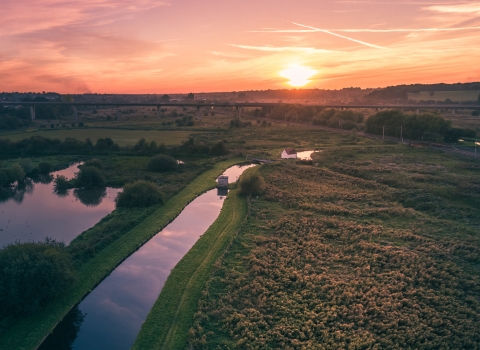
(140, 194)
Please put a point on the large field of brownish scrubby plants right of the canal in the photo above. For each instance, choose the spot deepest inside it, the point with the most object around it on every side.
(372, 249)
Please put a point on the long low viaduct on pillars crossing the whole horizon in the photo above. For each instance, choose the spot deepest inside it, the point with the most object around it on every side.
(235, 105)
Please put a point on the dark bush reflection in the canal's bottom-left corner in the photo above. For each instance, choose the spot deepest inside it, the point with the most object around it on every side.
(66, 332)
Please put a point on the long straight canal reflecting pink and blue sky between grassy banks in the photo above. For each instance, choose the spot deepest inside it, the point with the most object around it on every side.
(111, 316)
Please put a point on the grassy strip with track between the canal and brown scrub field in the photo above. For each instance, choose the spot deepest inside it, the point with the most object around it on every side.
(171, 317)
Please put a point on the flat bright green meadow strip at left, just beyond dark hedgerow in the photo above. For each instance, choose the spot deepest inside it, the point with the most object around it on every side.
(122, 137)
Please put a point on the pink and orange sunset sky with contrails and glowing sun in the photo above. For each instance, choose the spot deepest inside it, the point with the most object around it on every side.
(181, 46)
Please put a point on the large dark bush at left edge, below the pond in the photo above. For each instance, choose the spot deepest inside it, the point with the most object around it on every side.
(32, 274)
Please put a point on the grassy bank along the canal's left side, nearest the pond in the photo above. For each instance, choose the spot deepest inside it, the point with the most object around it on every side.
(28, 333)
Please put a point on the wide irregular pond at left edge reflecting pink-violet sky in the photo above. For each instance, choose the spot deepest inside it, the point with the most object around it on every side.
(33, 211)
